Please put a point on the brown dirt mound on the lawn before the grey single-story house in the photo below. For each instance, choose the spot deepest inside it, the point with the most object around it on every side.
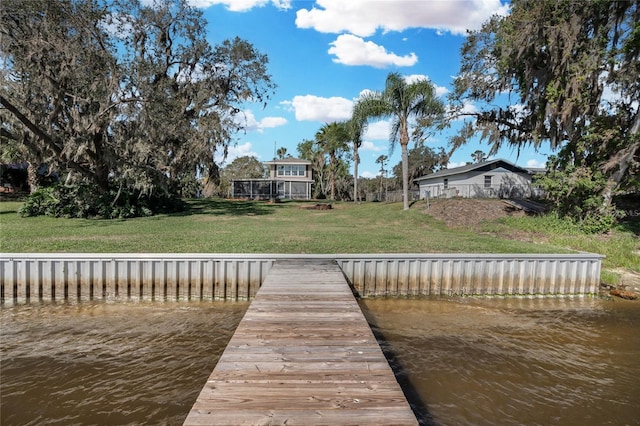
(455, 212)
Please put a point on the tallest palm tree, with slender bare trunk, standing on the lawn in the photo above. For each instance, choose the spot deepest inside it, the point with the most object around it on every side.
(402, 101)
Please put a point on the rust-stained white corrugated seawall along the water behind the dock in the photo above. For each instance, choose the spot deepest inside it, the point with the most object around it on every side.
(26, 277)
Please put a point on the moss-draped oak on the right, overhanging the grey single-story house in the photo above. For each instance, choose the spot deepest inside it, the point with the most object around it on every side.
(565, 73)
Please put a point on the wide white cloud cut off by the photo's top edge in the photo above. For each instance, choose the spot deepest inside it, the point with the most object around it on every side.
(365, 17)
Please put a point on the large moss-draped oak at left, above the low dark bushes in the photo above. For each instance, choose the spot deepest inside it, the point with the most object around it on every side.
(124, 94)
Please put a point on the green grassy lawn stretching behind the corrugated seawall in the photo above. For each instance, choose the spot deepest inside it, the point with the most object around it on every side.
(219, 226)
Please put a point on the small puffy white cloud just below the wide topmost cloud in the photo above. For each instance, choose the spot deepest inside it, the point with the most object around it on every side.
(352, 50)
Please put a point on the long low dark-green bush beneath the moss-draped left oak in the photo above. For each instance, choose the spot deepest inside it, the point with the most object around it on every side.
(86, 201)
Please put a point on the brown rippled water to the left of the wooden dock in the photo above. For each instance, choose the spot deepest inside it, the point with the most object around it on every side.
(109, 363)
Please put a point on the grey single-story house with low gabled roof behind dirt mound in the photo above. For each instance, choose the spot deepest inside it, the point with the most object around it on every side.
(487, 179)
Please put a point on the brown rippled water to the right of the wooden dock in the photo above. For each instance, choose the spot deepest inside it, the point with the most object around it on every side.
(515, 361)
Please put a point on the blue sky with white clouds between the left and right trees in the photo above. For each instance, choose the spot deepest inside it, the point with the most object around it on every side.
(324, 53)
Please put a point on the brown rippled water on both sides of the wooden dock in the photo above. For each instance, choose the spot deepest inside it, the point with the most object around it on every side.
(461, 361)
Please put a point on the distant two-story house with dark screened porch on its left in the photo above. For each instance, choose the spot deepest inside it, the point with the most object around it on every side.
(289, 178)
